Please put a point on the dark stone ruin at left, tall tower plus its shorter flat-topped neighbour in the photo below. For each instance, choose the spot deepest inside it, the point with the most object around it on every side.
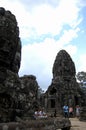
(17, 95)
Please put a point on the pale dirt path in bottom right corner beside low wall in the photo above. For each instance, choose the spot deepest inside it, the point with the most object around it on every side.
(77, 125)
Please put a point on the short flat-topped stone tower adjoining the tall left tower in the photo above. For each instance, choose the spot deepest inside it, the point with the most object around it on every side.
(29, 87)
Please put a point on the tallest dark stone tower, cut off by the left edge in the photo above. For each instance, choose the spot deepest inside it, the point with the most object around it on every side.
(10, 57)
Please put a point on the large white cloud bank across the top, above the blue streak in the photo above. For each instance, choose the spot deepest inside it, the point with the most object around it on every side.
(44, 18)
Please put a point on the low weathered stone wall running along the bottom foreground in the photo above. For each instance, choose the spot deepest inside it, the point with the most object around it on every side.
(50, 124)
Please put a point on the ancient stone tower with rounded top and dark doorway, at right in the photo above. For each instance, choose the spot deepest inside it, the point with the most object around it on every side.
(63, 88)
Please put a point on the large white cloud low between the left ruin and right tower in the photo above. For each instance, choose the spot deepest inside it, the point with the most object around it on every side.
(38, 59)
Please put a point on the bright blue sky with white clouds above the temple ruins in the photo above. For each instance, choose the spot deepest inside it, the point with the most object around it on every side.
(46, 27)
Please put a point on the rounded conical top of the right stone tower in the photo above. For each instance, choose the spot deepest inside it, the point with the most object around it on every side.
(63, 66)
